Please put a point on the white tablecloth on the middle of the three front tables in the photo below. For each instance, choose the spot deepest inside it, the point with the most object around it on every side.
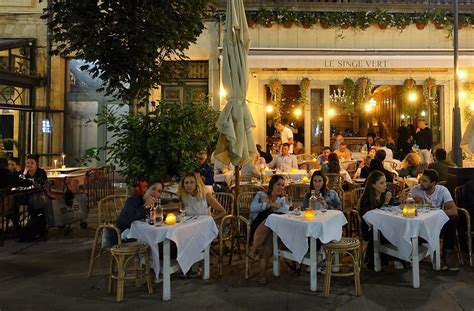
(294, 231)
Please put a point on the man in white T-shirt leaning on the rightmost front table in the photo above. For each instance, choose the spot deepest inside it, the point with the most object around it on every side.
(427, 191)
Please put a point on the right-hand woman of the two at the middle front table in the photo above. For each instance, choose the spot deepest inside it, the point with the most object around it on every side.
(328, 197)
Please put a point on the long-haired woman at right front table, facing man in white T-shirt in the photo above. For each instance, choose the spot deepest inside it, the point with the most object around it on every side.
(375, 196)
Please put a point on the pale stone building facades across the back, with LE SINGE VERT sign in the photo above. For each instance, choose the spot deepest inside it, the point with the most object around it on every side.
(353, 79)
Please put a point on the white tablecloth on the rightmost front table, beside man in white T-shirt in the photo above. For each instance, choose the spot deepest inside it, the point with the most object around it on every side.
(399, 230)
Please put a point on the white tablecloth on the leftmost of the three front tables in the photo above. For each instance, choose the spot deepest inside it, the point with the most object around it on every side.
(191, 238)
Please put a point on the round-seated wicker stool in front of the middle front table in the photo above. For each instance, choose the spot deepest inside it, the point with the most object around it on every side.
(350, 246)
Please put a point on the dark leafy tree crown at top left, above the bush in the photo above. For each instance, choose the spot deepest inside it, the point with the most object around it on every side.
(127, 42)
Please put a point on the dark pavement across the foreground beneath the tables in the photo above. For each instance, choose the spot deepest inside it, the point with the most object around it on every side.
(52, 275)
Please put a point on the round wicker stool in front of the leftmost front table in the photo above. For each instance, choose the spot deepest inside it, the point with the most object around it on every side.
(122, 255)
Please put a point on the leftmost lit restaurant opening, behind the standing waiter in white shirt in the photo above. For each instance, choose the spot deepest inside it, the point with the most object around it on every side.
(292, 113)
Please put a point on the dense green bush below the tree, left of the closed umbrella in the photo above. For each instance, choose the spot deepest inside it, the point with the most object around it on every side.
(160, 145)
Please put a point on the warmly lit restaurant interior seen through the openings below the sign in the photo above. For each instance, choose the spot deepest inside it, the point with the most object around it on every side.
(381, 113)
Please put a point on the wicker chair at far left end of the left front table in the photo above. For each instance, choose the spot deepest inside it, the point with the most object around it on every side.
(109, 210)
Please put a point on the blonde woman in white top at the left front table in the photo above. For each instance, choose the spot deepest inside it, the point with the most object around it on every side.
(196, 198)
